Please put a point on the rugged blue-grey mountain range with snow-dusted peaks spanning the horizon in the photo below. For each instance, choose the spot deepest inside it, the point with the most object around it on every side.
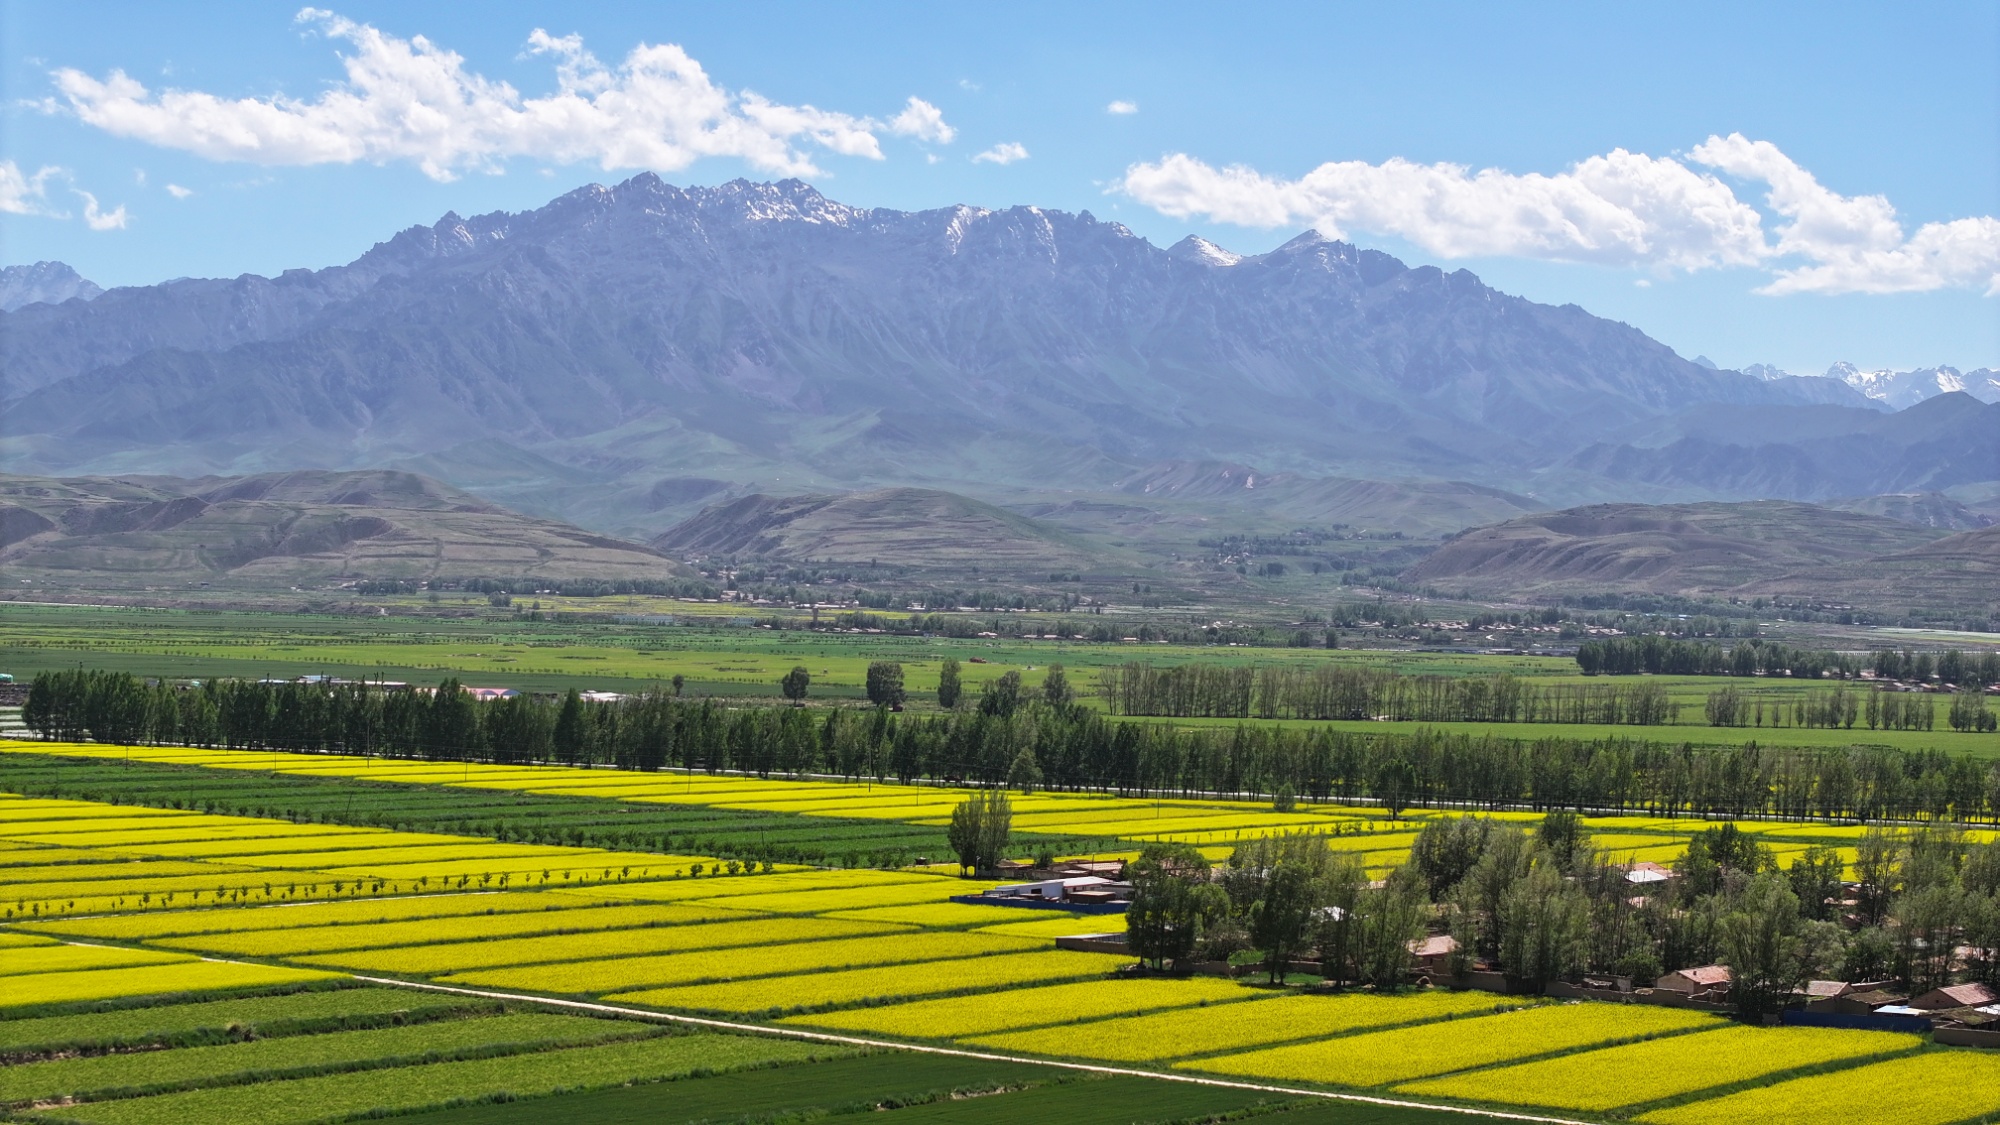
(629, 355)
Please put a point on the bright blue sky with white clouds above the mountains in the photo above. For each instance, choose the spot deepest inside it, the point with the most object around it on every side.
(1769, 183)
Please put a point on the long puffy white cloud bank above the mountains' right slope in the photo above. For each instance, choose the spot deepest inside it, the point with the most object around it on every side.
(1621, 209)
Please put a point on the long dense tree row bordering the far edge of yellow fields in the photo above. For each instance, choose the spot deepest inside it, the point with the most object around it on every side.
(1009, 732)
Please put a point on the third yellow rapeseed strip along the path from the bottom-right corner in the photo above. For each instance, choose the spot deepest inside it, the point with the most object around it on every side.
(1407, 1054)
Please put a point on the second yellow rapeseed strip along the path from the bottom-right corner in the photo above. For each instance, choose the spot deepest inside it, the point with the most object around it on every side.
(1655, 1070)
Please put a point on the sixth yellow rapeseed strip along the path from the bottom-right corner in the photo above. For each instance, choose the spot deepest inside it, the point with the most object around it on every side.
(861, 986)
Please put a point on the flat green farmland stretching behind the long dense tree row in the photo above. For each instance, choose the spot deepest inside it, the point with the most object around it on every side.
(747, 664)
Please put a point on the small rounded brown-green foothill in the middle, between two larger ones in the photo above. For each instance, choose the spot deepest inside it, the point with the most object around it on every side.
(909, 527)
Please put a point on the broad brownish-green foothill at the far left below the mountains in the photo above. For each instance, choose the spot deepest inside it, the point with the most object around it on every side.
(283, 529)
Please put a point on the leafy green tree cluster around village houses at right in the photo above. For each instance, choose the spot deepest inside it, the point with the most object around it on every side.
(1545, 906)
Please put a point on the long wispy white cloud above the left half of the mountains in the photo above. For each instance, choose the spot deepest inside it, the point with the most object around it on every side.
(409, 99)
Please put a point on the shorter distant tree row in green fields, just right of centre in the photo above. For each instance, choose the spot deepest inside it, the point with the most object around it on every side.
(1343, 692)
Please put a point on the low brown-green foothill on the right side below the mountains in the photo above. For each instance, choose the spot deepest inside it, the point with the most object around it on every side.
(1671, 549)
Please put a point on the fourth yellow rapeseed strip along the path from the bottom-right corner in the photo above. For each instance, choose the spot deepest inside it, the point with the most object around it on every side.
(1201, 1032)
